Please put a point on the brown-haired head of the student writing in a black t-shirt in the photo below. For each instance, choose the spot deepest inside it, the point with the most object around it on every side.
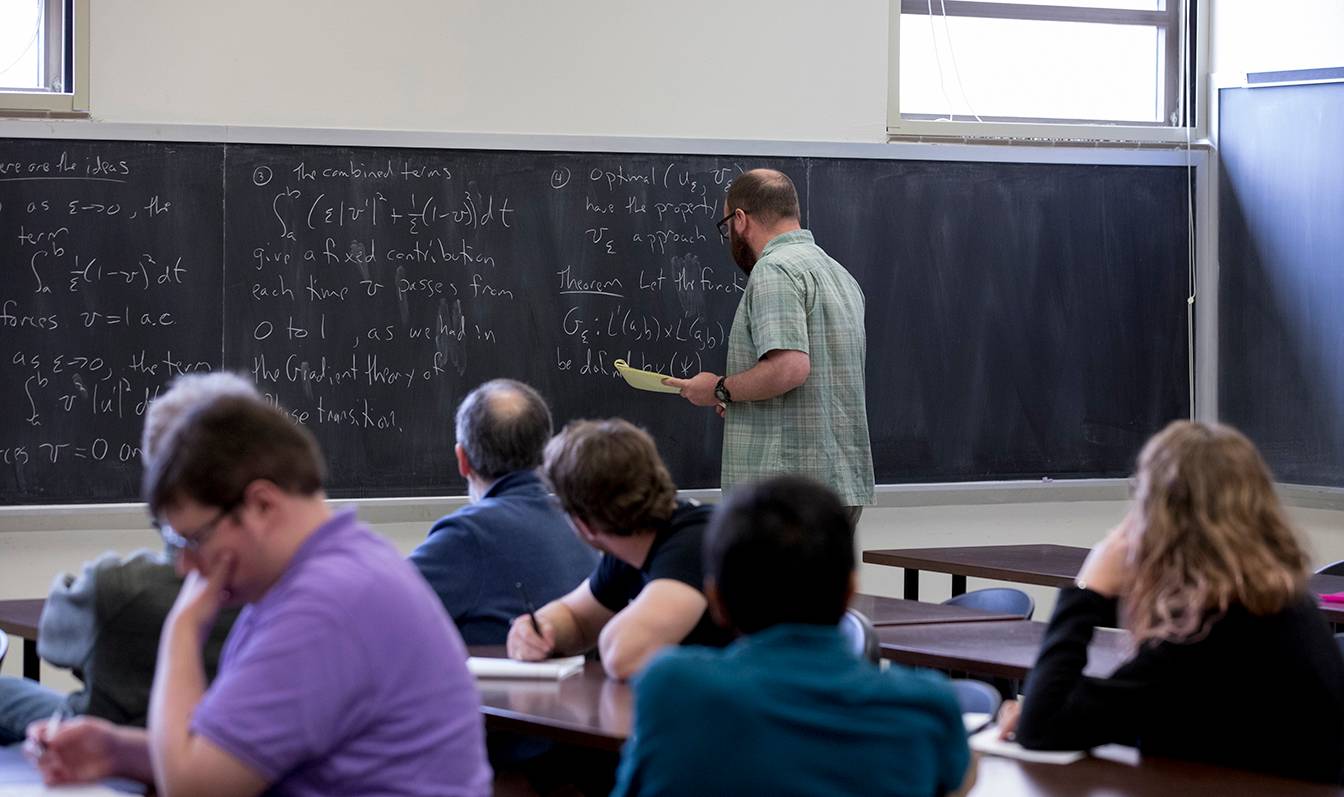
(610, 475)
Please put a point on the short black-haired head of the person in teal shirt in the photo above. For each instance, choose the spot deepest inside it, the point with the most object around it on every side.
(780, 552)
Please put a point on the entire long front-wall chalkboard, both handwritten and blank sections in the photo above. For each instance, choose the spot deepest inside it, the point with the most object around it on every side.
(1025, 321)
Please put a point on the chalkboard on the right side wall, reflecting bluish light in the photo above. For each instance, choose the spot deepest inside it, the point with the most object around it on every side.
(1282, 274)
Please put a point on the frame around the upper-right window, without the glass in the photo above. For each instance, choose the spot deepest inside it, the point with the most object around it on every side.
(1186, 85)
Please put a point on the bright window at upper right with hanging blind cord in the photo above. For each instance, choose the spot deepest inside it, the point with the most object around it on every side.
(1080, 64)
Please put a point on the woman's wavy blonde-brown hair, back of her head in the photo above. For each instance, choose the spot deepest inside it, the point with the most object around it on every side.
(1206, 533)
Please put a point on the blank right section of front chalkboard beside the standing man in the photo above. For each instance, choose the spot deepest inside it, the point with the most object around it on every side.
(1025, 321)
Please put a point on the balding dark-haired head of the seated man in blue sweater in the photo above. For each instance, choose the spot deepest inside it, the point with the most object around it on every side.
(503, 427)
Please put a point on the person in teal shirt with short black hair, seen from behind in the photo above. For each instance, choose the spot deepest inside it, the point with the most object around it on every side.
(788, 709)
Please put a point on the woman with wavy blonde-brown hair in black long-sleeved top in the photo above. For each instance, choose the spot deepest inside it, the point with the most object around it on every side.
(1233, 662)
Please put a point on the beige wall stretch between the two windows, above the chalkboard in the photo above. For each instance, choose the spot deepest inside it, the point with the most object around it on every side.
(755, 69)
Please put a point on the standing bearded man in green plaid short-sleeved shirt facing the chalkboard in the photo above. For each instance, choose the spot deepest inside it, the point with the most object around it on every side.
(792, 396)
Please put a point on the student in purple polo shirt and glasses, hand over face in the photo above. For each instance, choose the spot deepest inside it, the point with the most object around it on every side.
(343, 675)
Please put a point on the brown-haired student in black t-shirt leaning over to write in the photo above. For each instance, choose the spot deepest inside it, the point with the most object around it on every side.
(647, 592)
